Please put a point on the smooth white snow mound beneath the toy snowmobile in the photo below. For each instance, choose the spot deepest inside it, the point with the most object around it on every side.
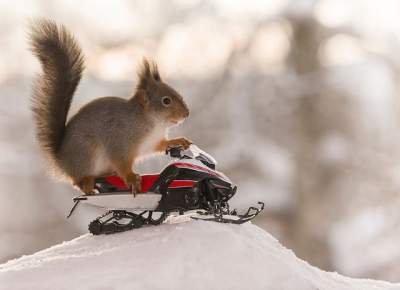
(191, 255)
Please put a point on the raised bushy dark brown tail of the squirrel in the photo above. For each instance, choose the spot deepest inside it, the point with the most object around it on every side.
(62, 66)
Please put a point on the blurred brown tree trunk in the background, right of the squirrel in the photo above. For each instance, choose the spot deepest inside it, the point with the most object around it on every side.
(321, 112)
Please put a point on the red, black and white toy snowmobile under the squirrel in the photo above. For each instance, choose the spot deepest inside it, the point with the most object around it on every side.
(189, 183)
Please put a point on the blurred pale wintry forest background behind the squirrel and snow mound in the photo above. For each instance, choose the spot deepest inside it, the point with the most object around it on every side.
(297, 100)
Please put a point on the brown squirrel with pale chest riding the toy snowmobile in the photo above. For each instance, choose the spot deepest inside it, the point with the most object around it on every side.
(108, 134)
